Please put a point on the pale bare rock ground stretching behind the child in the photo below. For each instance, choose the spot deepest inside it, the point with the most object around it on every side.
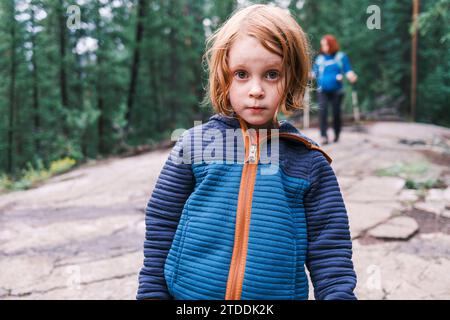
(79, 236)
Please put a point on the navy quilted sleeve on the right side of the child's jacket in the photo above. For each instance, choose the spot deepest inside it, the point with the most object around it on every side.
(329, 256)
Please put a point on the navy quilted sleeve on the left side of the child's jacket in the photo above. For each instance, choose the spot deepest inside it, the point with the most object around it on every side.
(174, 185)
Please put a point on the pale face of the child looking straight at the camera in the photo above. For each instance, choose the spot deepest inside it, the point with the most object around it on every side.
(257, 80)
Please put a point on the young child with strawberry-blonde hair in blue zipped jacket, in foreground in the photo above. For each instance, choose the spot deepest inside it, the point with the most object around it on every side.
(235, 229)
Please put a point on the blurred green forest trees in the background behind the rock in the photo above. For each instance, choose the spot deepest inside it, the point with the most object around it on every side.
(67, 92)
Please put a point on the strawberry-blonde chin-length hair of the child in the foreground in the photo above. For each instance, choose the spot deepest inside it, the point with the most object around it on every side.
(273, 27)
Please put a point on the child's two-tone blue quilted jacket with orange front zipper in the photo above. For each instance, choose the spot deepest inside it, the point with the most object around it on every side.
(220, 230)
